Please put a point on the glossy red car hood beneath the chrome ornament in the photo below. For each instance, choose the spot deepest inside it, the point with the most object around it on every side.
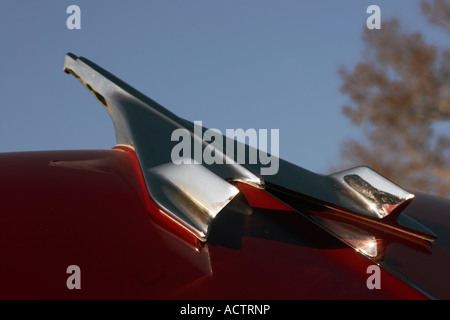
(91, 209)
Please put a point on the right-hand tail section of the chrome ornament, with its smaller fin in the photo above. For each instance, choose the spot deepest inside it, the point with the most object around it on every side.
(359, 193)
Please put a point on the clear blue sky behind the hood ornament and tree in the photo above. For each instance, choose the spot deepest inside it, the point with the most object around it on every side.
(231, 64)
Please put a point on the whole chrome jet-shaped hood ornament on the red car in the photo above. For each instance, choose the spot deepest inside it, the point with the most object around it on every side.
(193, 194)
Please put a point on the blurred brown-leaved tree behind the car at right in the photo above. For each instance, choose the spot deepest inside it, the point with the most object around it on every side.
(398, 93)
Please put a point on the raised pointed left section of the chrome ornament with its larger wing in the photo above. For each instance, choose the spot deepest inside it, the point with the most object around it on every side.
(191, 194)
